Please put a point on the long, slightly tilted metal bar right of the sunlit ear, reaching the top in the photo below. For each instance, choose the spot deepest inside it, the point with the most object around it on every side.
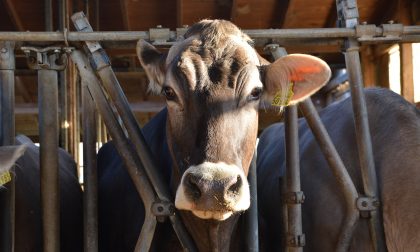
(348, 17)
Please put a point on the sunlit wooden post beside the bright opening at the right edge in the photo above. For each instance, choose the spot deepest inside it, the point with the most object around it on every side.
(406, 70)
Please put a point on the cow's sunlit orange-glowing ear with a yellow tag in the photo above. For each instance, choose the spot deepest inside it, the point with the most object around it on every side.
(293, 78)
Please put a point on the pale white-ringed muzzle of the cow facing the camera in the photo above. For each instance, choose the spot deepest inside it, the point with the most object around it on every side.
(213, 191)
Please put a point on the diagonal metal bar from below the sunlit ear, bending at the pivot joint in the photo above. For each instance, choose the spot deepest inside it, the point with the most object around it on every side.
(338, 169)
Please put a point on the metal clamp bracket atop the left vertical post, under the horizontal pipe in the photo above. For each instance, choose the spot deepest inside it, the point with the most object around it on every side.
(53, 58)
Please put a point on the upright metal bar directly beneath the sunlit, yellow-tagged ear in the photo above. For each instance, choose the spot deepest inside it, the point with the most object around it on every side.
(294, 210)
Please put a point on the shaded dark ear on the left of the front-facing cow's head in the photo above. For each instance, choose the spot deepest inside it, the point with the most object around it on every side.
(153, 62)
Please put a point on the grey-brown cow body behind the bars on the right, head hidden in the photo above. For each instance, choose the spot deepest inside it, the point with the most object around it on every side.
(395, 129)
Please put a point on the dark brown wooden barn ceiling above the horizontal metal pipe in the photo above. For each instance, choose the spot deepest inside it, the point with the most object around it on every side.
(141, 15)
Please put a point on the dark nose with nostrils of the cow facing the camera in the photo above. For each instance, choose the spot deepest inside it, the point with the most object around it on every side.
(223, 190)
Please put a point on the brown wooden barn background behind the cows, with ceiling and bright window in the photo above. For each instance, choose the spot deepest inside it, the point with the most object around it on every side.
(141, 15)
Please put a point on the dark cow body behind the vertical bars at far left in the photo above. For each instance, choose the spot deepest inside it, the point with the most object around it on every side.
(28, 210)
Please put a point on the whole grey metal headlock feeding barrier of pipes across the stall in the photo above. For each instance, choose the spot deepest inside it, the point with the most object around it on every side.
(102, 94)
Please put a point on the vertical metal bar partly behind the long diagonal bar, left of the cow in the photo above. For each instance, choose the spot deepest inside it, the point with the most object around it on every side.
(90, 172)
